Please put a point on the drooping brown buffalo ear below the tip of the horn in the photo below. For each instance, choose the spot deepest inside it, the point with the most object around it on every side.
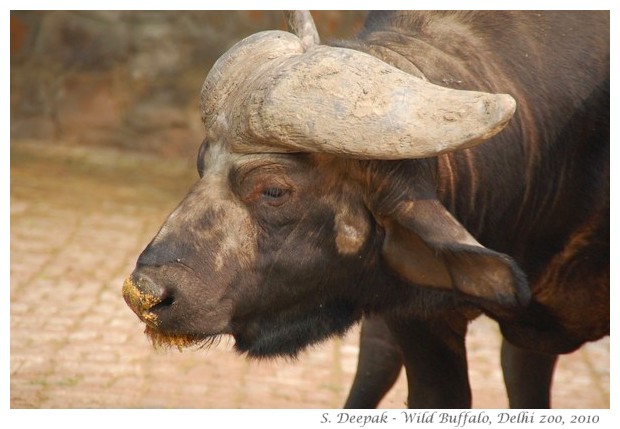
(425, 245)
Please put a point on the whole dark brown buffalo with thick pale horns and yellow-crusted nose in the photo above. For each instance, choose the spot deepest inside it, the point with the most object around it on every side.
(438, 166)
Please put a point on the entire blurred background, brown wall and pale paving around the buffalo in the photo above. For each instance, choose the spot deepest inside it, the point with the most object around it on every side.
(105, 127)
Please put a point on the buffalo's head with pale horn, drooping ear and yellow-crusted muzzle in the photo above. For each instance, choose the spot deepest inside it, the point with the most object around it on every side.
(316, 203)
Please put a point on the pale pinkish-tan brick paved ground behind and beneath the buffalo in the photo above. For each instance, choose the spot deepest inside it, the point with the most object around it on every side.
(79, 218)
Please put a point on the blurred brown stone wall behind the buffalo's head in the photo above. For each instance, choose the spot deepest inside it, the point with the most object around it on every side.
(128, 79)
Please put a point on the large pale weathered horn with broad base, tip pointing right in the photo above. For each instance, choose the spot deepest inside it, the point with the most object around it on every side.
(341, 101)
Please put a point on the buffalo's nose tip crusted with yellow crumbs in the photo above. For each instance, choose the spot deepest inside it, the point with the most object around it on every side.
(142, 295)
